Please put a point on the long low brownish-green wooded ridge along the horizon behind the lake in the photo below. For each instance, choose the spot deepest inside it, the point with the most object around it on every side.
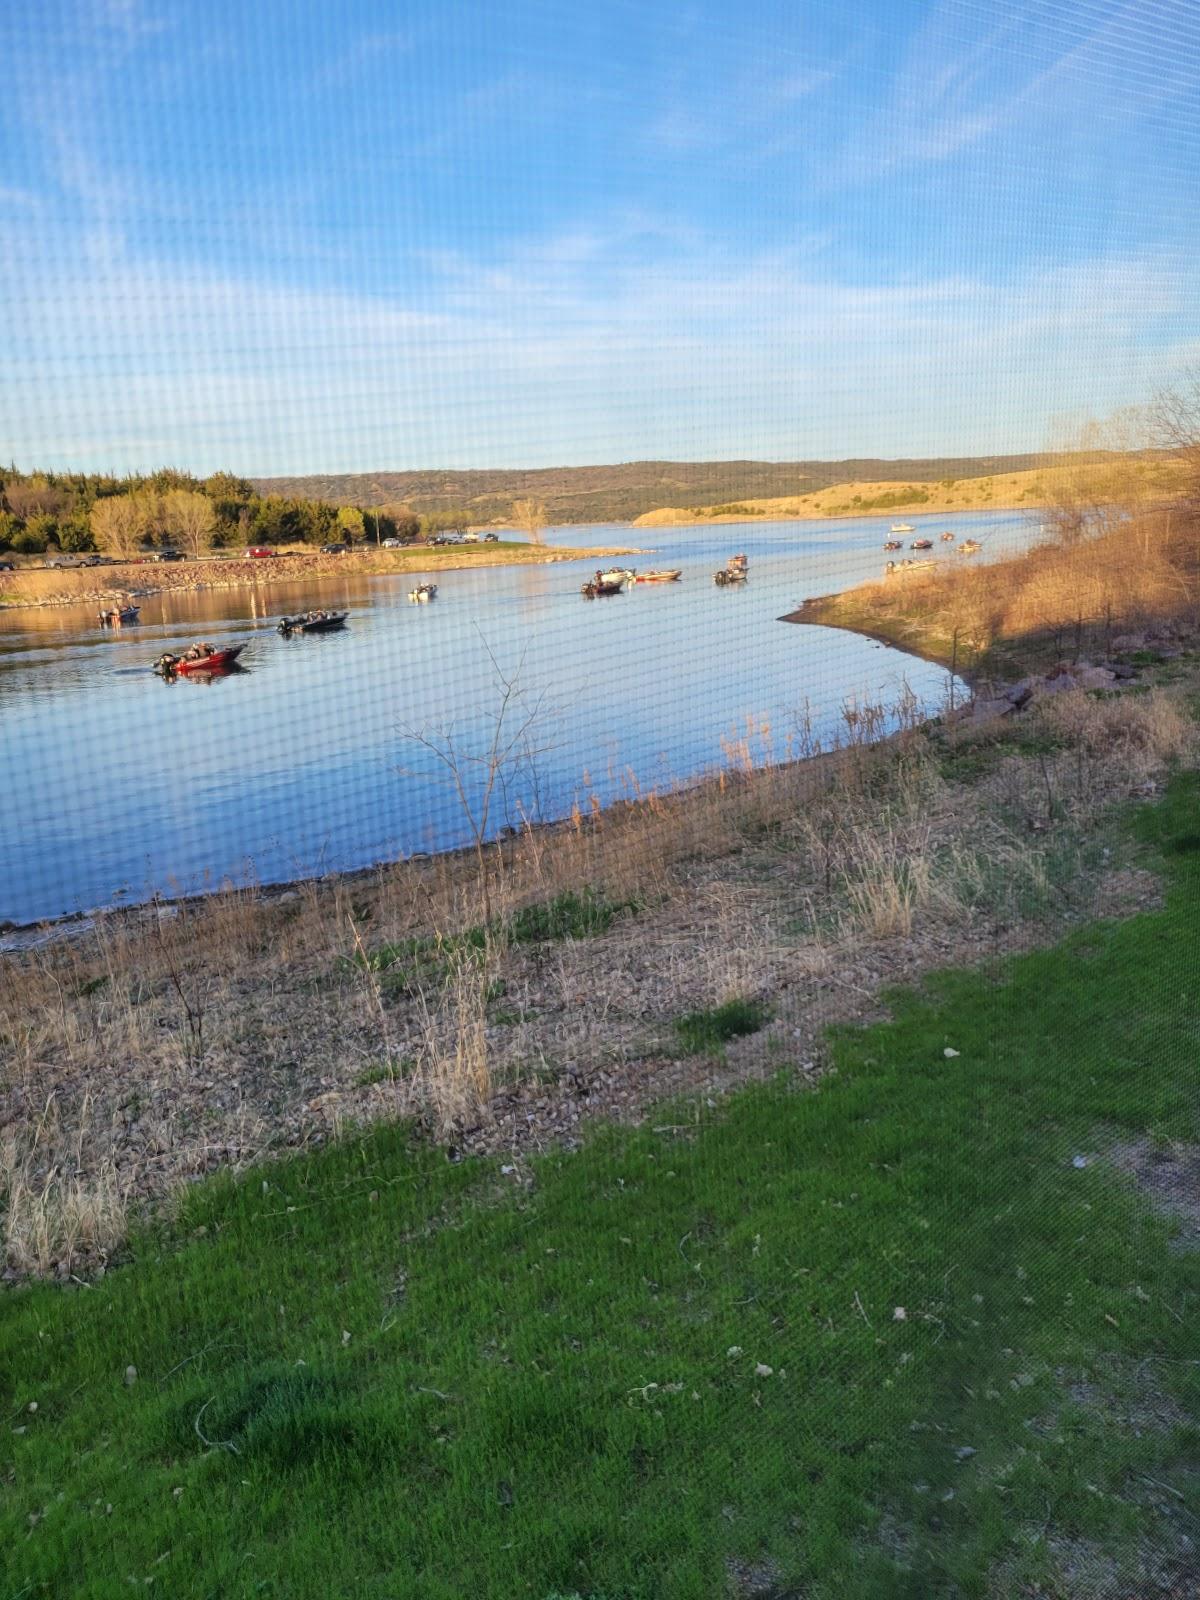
(628, 490)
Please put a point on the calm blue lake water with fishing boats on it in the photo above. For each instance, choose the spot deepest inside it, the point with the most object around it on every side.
(116, 785)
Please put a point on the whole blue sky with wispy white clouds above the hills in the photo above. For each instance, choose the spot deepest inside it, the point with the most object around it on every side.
(319, 238)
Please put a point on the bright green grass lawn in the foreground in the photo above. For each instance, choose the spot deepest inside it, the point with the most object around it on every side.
(876, 1340)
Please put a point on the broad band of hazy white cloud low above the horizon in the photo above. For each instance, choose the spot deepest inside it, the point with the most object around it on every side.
(591, 345)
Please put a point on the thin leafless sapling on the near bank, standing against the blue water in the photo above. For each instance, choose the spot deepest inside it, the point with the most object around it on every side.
(481, 778)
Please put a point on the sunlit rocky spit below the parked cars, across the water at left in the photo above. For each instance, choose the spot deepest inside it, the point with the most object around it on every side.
(38, 586)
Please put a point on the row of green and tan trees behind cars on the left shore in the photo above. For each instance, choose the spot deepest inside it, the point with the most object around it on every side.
(126, 518)
